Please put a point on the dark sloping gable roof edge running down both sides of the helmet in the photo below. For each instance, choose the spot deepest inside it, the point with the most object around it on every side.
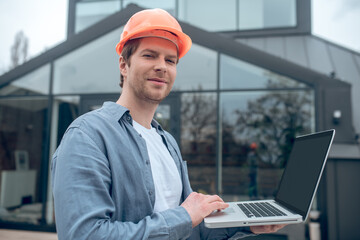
(214, 41)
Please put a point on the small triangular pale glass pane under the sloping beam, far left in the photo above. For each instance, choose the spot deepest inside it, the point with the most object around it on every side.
(33, 83)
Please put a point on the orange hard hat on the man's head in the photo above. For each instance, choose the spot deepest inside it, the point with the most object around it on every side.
(155, 23)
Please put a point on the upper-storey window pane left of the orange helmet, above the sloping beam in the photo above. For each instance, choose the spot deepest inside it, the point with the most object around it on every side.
(89, 12)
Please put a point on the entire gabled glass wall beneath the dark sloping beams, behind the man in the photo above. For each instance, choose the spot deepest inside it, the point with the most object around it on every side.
(233, 122)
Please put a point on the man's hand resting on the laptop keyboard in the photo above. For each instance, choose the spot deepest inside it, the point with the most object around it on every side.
(199, 206)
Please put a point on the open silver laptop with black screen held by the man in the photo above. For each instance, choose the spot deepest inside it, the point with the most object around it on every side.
(296, 190)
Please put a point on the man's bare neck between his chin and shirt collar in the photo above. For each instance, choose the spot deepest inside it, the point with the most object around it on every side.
(140, 110)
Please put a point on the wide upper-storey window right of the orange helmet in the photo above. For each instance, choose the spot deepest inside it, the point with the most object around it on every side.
(234, 15)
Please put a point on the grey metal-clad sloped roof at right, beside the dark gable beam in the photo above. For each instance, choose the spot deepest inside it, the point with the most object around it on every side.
(318, 55)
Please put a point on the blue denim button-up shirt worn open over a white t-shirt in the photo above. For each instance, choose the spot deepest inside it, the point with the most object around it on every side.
(103, 186)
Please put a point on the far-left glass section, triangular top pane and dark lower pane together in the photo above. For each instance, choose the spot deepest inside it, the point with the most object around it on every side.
(24, 111)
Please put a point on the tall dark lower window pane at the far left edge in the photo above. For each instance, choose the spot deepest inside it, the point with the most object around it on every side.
(22, 137)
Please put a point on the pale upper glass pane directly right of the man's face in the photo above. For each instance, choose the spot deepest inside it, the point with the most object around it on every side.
(197, 70)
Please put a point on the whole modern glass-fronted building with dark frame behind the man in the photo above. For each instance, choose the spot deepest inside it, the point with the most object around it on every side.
(237, 103)
